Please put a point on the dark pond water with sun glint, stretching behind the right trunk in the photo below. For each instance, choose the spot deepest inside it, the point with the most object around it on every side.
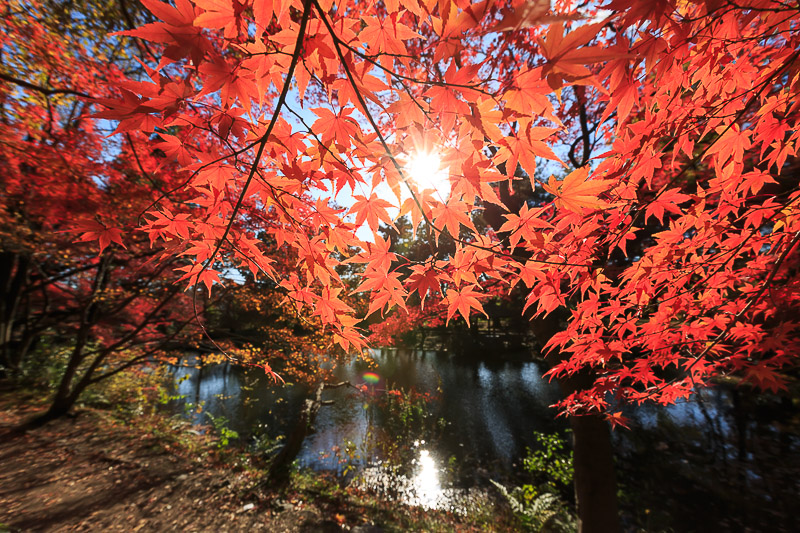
(694, 457)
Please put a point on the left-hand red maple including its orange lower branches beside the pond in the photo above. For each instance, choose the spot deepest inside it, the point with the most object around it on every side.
(83, 290)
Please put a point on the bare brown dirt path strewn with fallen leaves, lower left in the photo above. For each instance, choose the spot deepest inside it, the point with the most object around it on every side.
(91, 474)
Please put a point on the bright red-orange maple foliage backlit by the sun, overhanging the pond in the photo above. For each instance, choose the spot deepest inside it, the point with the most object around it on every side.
(663, 261)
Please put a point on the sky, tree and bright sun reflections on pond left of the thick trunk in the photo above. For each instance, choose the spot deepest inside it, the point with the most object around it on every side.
(487, 417)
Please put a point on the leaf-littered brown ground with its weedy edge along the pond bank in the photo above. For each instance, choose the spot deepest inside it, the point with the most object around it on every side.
(97, 472)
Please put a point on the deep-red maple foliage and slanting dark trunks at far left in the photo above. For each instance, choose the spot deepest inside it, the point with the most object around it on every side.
(75, 294)
